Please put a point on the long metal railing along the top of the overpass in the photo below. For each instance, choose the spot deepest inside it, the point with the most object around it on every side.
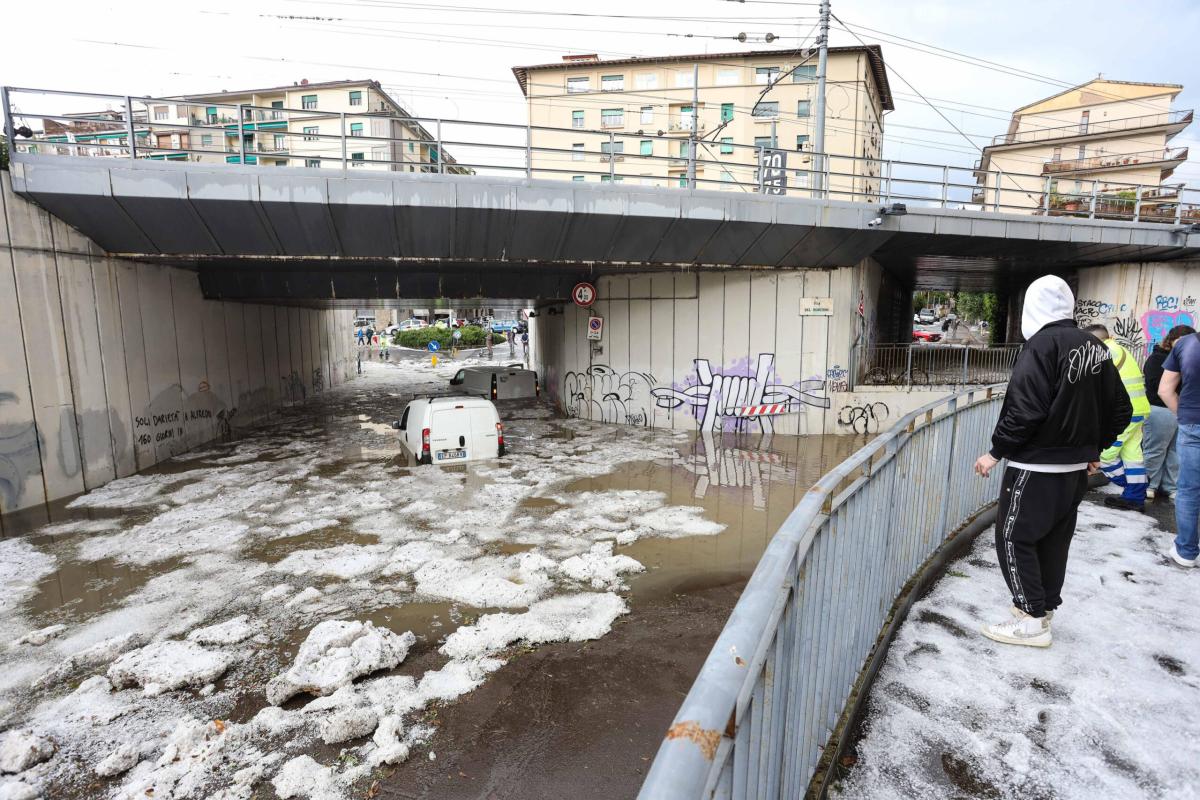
(658, 153)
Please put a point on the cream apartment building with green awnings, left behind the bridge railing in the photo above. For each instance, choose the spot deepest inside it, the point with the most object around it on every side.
(299, 125)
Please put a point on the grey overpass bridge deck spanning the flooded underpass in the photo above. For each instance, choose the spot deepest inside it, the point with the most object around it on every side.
(339, 238)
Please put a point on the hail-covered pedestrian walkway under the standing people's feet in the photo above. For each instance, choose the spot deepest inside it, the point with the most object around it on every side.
(1107, 712)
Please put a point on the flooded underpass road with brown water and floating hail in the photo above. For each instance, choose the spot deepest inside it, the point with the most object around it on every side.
(302, 613)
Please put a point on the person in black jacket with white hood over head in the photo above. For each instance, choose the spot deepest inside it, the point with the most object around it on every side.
(1065, 405)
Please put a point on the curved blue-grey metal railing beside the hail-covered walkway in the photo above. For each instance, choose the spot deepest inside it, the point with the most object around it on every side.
(773, 688)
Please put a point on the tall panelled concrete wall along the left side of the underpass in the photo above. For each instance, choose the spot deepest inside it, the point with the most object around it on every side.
(110, 366)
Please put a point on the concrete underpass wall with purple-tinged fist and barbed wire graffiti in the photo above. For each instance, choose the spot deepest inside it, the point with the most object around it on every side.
(691, 351)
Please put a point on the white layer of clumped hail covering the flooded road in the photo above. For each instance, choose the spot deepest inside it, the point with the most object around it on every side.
(233, 566)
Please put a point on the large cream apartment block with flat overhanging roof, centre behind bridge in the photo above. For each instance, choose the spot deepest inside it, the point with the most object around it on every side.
(633, 121)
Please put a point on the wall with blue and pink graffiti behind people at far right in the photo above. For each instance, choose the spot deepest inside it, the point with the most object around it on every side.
(1141, 303)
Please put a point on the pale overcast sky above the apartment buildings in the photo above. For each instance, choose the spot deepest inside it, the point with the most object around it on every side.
(455, 58)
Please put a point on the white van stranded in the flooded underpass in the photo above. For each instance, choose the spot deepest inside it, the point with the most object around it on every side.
(451, 430)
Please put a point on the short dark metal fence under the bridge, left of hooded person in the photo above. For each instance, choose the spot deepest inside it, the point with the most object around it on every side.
(933, 365)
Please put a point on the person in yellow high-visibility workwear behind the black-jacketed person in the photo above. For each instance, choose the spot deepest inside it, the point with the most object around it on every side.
(1124, 462)
